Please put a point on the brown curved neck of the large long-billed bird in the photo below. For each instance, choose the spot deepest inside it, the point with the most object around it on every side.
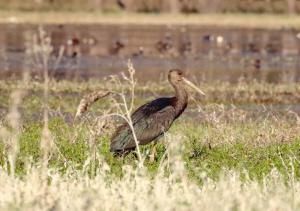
(180, 99)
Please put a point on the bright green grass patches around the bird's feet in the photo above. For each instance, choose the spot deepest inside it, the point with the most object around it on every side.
(199, 156)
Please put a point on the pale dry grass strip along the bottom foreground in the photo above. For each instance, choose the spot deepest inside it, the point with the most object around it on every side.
(136, 191)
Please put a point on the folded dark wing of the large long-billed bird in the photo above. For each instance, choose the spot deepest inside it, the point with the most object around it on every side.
(149, 121)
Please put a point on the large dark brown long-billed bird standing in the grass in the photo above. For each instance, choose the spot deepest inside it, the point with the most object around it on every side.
(153, 119)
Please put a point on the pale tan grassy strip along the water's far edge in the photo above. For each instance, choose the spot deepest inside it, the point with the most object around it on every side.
(271, 21)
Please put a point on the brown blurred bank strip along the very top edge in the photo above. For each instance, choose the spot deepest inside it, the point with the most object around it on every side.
(157, 6)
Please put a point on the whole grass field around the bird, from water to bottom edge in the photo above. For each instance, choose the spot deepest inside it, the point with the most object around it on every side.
(232, 149)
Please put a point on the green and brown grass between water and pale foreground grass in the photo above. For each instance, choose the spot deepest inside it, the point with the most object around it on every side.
(217, 138)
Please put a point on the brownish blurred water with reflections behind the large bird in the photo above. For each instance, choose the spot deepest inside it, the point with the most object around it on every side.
(206, 53)
